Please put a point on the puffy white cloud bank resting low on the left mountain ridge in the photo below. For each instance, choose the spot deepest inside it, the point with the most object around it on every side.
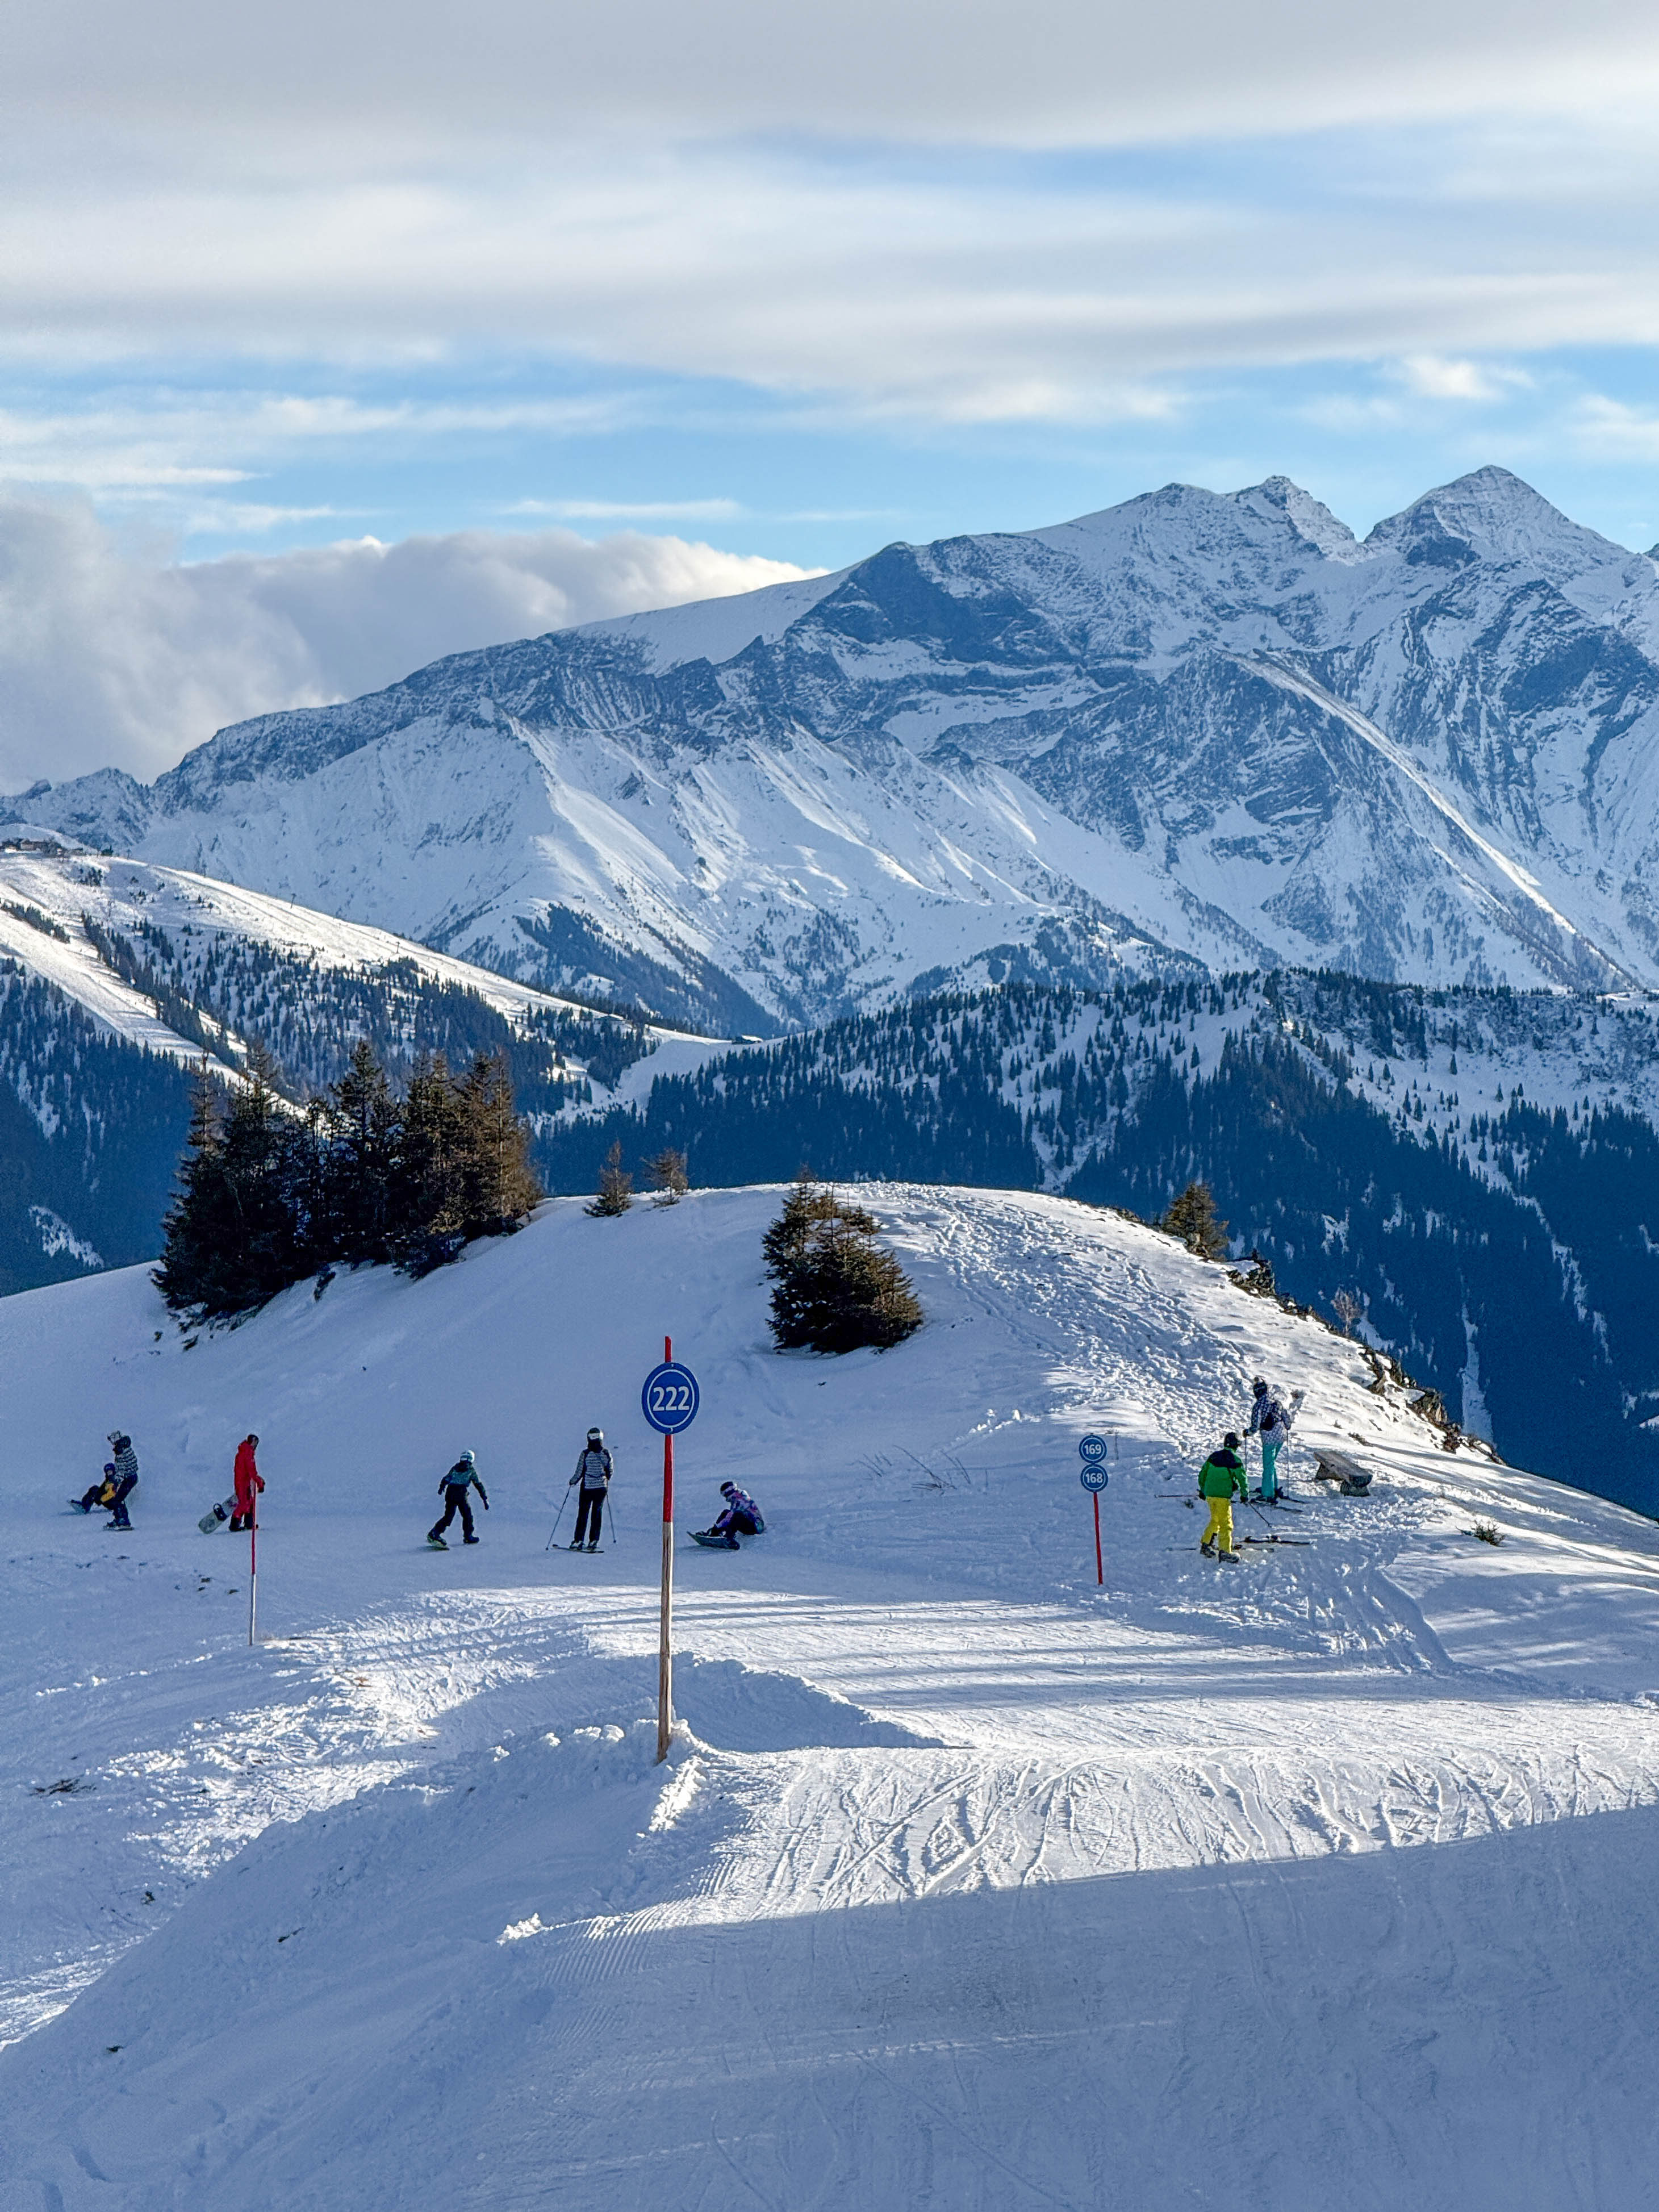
(109, 658)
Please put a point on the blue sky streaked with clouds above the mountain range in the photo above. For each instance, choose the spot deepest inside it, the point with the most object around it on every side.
(778, 284)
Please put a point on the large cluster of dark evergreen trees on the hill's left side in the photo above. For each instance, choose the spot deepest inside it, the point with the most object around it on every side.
(368, 1173)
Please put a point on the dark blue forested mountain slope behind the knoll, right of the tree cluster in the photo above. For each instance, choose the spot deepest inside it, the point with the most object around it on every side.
(1477, 1169)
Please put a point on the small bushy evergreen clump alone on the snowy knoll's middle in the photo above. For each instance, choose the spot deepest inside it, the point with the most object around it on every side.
(833, 1286)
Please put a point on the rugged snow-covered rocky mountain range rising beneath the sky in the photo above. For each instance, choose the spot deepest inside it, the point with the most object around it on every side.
(1189, 729)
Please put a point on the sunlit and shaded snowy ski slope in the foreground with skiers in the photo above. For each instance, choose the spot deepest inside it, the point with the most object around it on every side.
(1317, 1879)
